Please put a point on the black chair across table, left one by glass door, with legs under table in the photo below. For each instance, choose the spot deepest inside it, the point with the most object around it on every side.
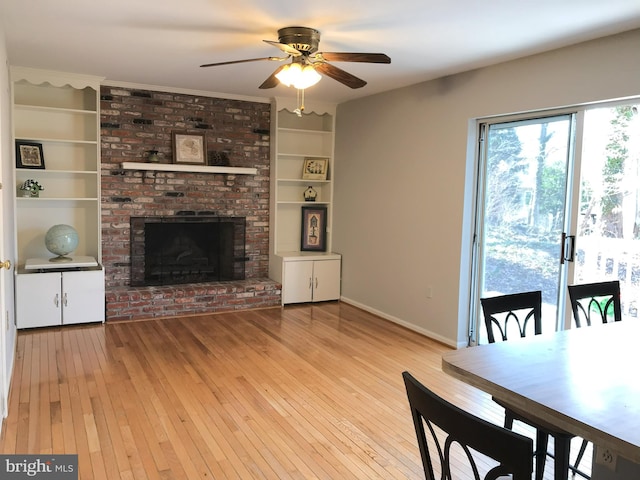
(521, 313)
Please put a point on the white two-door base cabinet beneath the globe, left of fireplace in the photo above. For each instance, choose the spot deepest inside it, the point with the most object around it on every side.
(59, 298)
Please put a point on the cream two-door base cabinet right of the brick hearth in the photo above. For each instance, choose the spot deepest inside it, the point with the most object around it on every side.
(308, 278)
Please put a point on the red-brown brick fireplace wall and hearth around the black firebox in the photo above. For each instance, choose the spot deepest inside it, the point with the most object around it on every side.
(135, 122)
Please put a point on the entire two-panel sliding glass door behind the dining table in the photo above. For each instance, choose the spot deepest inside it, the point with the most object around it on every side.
(558, 202)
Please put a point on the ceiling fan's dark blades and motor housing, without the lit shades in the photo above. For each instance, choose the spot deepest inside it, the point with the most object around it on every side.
(301, 45)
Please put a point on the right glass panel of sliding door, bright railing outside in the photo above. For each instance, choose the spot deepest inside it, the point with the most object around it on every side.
(608, 226)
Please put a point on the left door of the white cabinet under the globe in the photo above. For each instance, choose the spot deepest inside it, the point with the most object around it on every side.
(38, 300)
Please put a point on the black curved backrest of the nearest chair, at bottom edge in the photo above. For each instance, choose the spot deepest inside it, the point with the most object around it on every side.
(451, 428)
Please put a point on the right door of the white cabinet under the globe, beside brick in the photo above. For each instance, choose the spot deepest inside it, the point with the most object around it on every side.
(82, 297)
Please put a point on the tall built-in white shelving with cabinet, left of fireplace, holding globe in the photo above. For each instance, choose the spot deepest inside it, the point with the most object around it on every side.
(60, 113)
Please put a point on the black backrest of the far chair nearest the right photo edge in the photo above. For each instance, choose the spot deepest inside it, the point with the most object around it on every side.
(595, 301)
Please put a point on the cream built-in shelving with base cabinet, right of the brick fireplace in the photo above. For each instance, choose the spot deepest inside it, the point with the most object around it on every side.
(305, 276)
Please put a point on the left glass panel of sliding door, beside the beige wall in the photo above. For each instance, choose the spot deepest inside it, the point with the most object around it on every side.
(521, 215)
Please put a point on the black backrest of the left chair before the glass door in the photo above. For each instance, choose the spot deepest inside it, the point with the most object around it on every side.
(517, 308)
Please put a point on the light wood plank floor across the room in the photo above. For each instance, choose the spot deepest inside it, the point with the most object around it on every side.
(302, 392)
